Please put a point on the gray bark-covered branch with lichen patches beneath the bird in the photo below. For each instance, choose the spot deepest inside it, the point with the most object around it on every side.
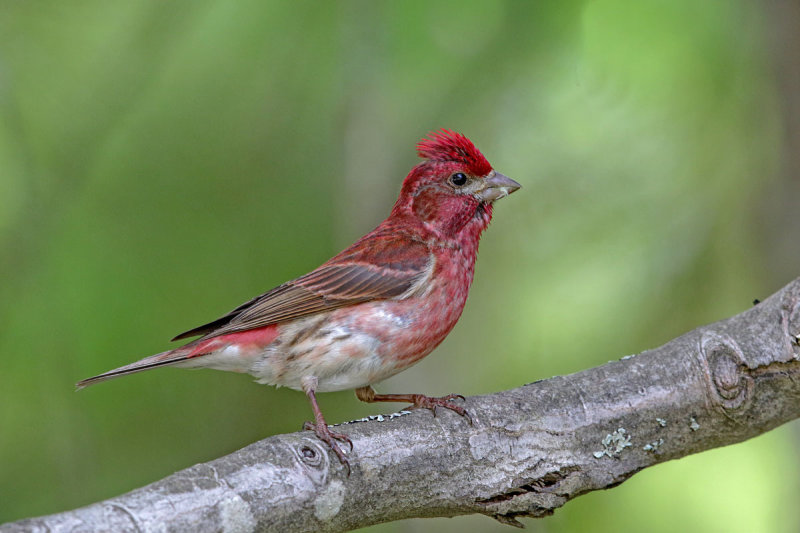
(528, 452)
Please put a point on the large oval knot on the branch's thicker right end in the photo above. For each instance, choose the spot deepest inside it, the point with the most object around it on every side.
(727, 375)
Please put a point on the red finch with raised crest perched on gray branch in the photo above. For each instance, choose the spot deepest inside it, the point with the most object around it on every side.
(373, 310)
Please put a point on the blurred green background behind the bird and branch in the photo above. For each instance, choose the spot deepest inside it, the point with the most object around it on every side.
(163, 161)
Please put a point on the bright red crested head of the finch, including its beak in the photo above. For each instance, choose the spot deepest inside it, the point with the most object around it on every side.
(454, 186)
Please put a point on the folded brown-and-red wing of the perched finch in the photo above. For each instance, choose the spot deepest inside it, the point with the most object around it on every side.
(379, 266)
